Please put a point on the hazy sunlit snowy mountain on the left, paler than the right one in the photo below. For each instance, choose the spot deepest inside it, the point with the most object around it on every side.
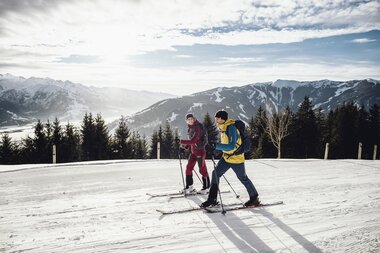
(24, 100)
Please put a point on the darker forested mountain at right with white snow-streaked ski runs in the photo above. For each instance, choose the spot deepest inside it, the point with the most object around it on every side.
(243, 102)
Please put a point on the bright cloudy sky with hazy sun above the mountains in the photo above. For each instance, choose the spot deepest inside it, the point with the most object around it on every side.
(186, 46)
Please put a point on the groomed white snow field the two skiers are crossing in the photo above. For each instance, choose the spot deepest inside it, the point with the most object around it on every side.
(330, 206)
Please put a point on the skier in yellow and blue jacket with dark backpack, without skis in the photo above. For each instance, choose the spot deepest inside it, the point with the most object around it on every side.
(229, 142)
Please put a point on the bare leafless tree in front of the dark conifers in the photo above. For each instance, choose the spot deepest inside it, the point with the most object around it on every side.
(277, 127)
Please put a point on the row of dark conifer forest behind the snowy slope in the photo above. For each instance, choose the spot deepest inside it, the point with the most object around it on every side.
(305, 136)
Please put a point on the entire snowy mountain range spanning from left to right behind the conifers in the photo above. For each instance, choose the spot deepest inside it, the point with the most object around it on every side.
(24, 100)
